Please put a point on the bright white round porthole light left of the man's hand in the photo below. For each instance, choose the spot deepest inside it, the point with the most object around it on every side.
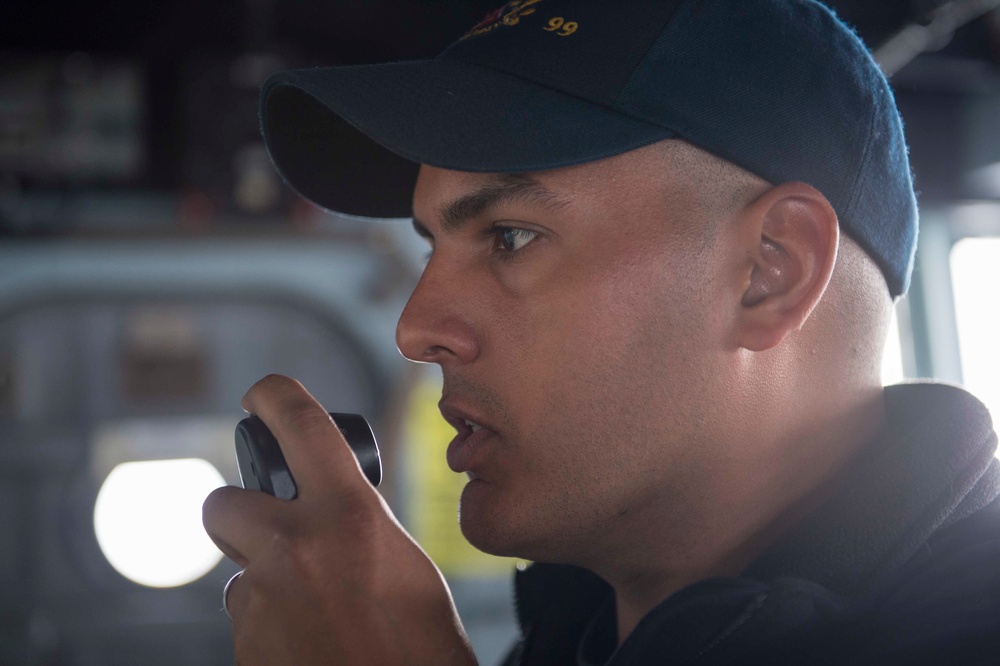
(148, 520)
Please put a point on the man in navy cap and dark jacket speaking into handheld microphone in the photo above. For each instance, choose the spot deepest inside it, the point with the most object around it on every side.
(665, 240)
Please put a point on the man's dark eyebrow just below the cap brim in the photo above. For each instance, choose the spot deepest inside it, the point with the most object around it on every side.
(504, 188)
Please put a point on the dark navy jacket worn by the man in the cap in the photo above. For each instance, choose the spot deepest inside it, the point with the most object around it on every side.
(901, 566)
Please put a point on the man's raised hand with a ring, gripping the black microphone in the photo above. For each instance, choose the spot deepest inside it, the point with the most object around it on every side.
(329, 577)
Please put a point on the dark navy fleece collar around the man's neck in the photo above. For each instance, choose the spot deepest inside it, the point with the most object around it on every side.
(934, 468)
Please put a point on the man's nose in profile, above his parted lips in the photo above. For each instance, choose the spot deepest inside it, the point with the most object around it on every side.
(435, 326)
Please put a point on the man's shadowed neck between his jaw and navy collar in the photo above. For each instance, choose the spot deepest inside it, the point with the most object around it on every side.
(757, 499)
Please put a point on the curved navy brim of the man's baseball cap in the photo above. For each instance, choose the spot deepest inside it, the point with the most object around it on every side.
(351, 139)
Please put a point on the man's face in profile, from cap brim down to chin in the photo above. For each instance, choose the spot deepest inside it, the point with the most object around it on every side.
(578, 318)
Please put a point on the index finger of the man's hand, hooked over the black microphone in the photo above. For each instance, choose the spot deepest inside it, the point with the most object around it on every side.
(313, 446)
